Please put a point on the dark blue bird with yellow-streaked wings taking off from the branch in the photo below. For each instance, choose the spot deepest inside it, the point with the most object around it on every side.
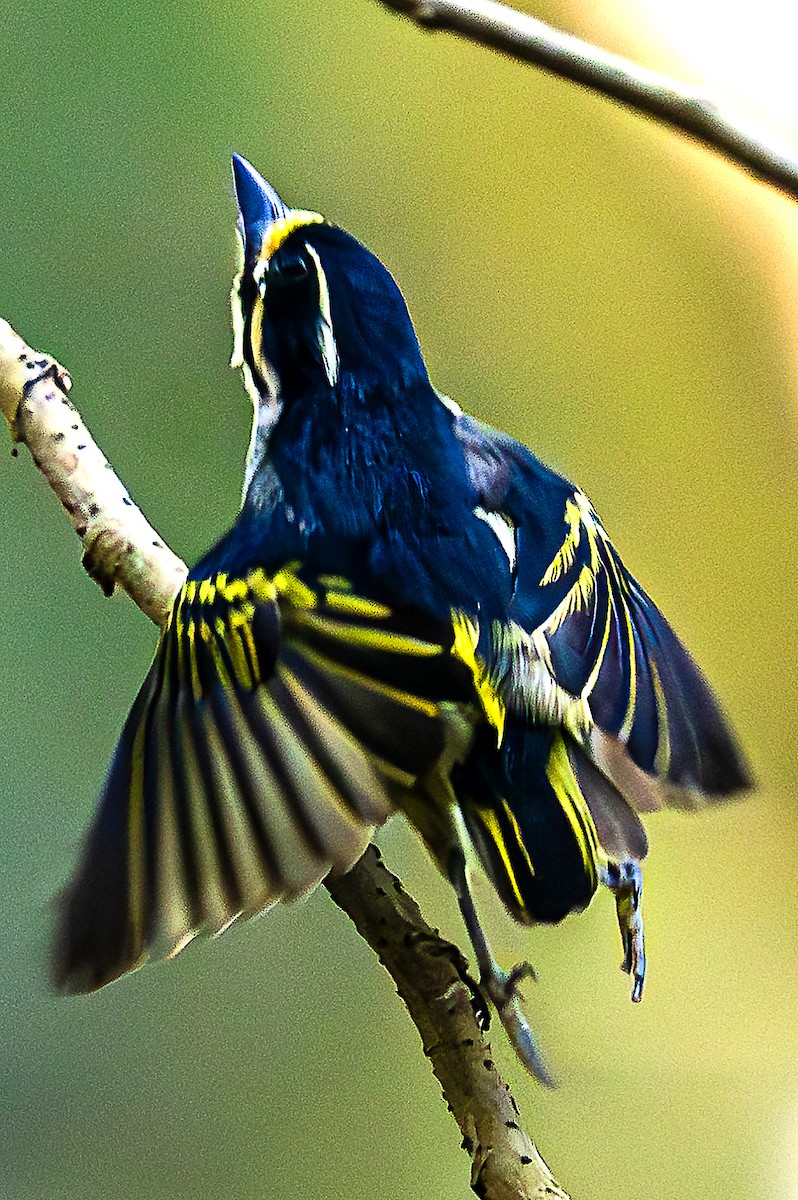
(411, 613)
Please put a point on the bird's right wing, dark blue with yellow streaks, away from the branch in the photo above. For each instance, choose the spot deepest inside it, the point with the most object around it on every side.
(589, 650)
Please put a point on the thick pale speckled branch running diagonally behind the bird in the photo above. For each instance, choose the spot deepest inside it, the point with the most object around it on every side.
(431, 975)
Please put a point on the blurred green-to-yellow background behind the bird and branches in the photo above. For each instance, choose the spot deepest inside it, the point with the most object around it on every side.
(592, 284)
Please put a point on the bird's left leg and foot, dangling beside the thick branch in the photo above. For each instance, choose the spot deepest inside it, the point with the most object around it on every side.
(500, 986)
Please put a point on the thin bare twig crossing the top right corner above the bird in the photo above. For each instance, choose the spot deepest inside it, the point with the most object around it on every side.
(691, 110)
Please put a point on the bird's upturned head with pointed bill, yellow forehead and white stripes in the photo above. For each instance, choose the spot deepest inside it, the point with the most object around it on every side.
(313, 309)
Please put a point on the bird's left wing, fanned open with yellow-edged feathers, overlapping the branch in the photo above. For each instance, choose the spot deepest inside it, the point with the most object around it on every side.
(280, 717)
